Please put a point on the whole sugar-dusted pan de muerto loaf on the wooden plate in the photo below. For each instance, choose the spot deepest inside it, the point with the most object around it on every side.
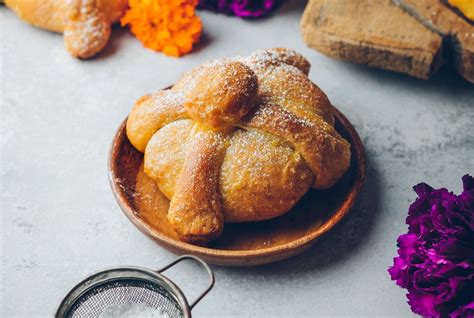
(238, 140)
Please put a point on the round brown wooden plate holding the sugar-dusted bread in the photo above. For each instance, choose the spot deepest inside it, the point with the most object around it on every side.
(241, 244)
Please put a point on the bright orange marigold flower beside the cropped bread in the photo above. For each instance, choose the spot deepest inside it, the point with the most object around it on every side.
(169, 26)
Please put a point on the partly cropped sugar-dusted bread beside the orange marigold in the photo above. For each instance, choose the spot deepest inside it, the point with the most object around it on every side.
(85, 23)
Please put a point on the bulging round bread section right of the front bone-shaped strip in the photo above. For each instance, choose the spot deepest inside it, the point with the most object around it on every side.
(261, 177)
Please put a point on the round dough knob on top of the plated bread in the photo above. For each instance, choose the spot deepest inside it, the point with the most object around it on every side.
(220, 93)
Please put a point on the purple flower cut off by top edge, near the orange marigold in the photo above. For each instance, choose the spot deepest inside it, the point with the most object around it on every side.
(240, 8)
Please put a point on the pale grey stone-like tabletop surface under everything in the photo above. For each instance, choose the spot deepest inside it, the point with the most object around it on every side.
(59, 220)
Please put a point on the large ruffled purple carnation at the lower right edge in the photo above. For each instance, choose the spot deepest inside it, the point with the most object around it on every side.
(436, 256)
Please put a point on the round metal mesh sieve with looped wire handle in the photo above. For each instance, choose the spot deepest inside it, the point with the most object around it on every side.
(130, 285)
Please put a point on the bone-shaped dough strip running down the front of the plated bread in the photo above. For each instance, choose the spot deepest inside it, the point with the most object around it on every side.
(195, 210)
